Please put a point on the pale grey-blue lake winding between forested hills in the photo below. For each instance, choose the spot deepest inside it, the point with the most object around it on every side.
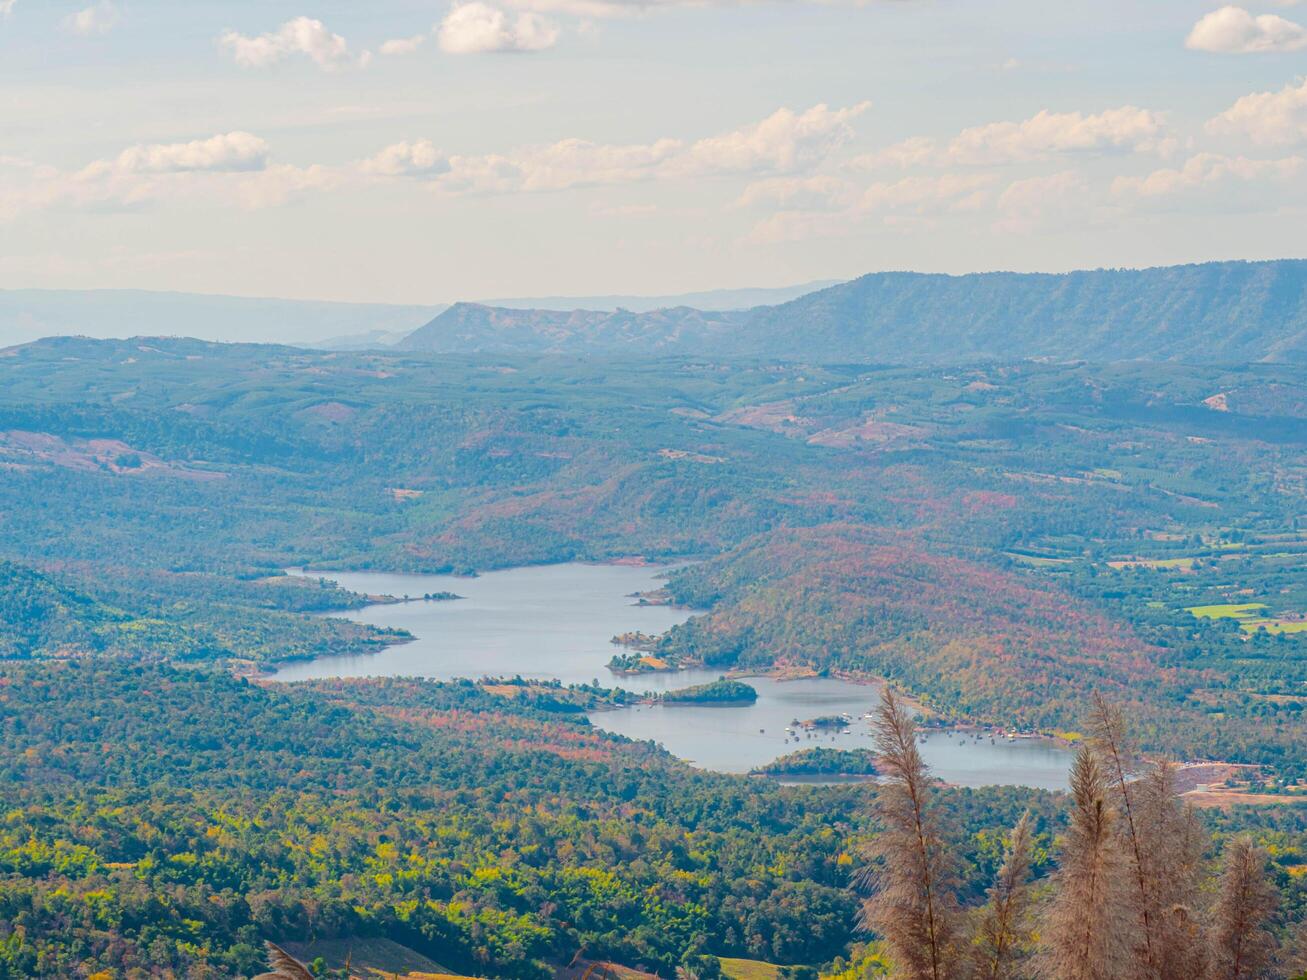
(557, 623)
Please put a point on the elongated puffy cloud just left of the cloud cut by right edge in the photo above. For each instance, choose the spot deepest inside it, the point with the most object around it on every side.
(1049, 134)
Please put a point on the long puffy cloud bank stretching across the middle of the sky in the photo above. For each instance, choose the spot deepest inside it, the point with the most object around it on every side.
(784, 143)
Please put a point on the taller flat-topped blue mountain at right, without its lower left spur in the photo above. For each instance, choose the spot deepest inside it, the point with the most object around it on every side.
(1216, 312)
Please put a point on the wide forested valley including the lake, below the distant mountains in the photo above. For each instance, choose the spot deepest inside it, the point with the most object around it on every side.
(1001, 542)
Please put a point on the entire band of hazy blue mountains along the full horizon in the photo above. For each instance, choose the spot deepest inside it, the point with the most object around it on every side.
(1212, 313)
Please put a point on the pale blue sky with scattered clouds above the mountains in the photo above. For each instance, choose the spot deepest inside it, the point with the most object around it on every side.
(415, 152)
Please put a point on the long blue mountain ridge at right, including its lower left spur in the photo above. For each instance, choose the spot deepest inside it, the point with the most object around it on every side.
(1219, 313)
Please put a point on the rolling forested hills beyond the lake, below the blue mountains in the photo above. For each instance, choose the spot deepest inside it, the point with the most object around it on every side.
(1001, 539)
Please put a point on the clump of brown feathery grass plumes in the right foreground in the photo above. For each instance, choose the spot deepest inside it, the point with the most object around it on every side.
(1127, 897)
